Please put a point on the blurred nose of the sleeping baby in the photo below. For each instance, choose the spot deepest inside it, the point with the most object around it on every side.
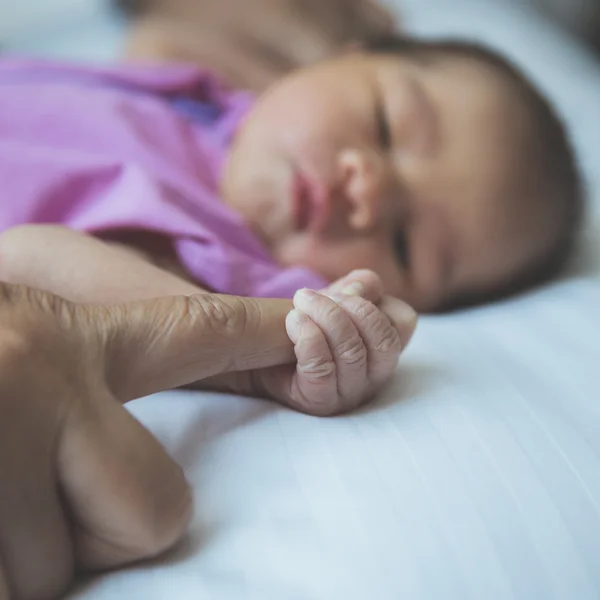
(363, 178)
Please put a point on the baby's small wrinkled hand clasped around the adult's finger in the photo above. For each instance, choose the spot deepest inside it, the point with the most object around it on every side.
(347, 341)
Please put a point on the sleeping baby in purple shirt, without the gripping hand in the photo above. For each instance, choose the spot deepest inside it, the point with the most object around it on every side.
(436, 165)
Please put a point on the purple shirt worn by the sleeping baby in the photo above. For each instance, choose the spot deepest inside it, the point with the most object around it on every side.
(100, 149)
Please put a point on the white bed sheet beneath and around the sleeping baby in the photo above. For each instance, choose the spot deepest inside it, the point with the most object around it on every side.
(475, 475)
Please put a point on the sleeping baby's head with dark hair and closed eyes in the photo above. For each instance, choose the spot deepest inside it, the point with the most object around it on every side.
(435, 164)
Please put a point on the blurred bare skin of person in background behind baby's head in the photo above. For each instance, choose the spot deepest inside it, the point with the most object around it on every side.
(252, 44)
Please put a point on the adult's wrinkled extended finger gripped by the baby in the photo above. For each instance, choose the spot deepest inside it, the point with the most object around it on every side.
(155, 345)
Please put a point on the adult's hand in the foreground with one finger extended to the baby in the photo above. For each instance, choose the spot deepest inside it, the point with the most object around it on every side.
(84, 485)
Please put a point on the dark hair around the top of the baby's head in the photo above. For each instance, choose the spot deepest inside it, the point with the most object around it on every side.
(557, 181)
